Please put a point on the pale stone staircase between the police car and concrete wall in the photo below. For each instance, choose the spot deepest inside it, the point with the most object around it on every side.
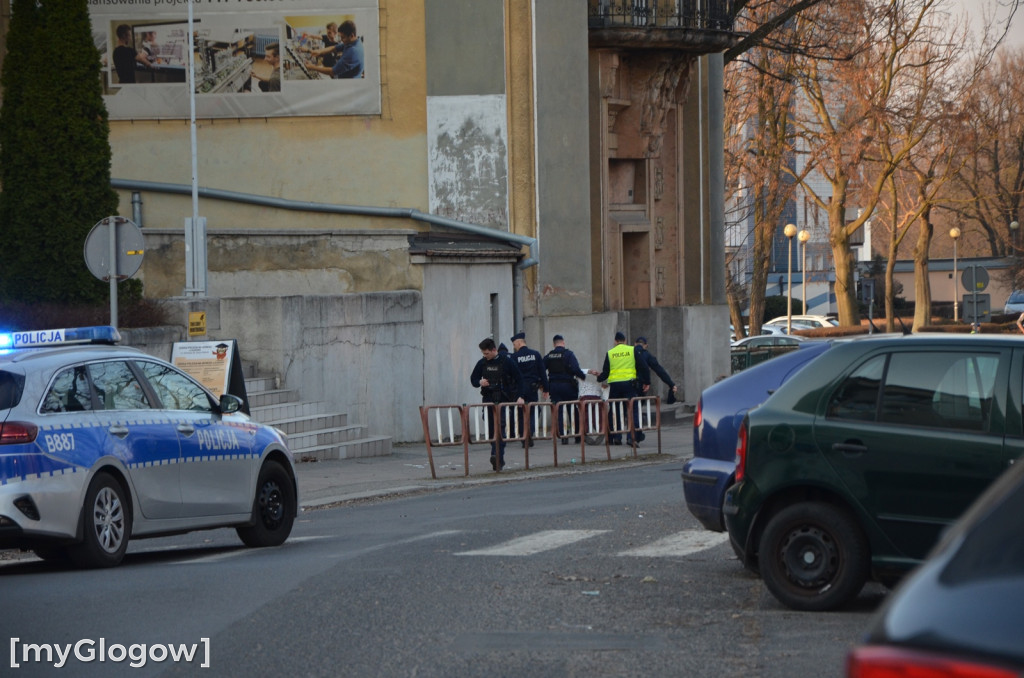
(316, 431)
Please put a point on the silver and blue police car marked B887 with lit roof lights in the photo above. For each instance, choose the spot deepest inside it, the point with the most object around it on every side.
(102, 444)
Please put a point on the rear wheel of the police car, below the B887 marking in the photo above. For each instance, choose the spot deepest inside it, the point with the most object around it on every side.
(106, 525)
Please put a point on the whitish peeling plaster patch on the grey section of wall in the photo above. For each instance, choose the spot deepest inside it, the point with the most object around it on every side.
(468, 159)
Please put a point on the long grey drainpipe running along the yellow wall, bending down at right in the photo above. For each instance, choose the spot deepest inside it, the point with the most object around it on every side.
(389, 213)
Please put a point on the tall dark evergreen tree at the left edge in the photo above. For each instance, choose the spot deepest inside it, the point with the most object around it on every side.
(55, 154)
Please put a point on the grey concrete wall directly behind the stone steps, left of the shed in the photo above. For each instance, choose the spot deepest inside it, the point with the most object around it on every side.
(362, 353)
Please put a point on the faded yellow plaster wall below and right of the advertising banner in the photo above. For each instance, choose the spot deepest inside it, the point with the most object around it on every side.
(377, 161)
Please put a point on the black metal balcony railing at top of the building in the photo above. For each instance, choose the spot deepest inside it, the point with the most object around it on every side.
(698, 15)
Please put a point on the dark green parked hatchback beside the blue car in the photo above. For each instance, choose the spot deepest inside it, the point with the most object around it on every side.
(851, 471)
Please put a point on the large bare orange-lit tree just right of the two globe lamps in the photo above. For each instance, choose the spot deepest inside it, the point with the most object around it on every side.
(871, 111)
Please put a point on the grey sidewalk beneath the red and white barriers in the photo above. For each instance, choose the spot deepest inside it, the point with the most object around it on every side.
(407, 471)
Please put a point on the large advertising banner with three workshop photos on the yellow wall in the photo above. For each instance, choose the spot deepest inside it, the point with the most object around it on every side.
(253, 59)
